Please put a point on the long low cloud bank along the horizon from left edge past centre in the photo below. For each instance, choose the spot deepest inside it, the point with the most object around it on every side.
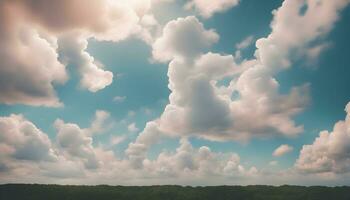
(27, 151)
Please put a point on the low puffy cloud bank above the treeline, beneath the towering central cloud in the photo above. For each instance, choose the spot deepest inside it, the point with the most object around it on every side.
(196, 163)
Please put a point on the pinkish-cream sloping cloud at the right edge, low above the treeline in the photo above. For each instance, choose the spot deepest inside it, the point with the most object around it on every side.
(330, 152)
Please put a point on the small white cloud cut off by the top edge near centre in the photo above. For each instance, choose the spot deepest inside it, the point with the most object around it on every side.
(207, 8)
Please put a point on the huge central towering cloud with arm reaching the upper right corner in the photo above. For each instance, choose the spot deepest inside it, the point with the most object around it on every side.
(251, 105)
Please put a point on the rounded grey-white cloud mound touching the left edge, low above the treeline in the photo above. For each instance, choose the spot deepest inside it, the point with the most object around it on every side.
(23, 148)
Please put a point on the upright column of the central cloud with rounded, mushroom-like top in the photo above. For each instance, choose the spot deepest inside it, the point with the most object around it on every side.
(192, 78)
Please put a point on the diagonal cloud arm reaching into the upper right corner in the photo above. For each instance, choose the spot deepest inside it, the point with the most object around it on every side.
(293, 31)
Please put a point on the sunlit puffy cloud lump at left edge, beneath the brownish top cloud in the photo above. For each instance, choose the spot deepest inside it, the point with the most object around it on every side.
(26, 76)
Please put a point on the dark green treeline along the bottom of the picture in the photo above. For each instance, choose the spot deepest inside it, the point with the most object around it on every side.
(103, 192)
